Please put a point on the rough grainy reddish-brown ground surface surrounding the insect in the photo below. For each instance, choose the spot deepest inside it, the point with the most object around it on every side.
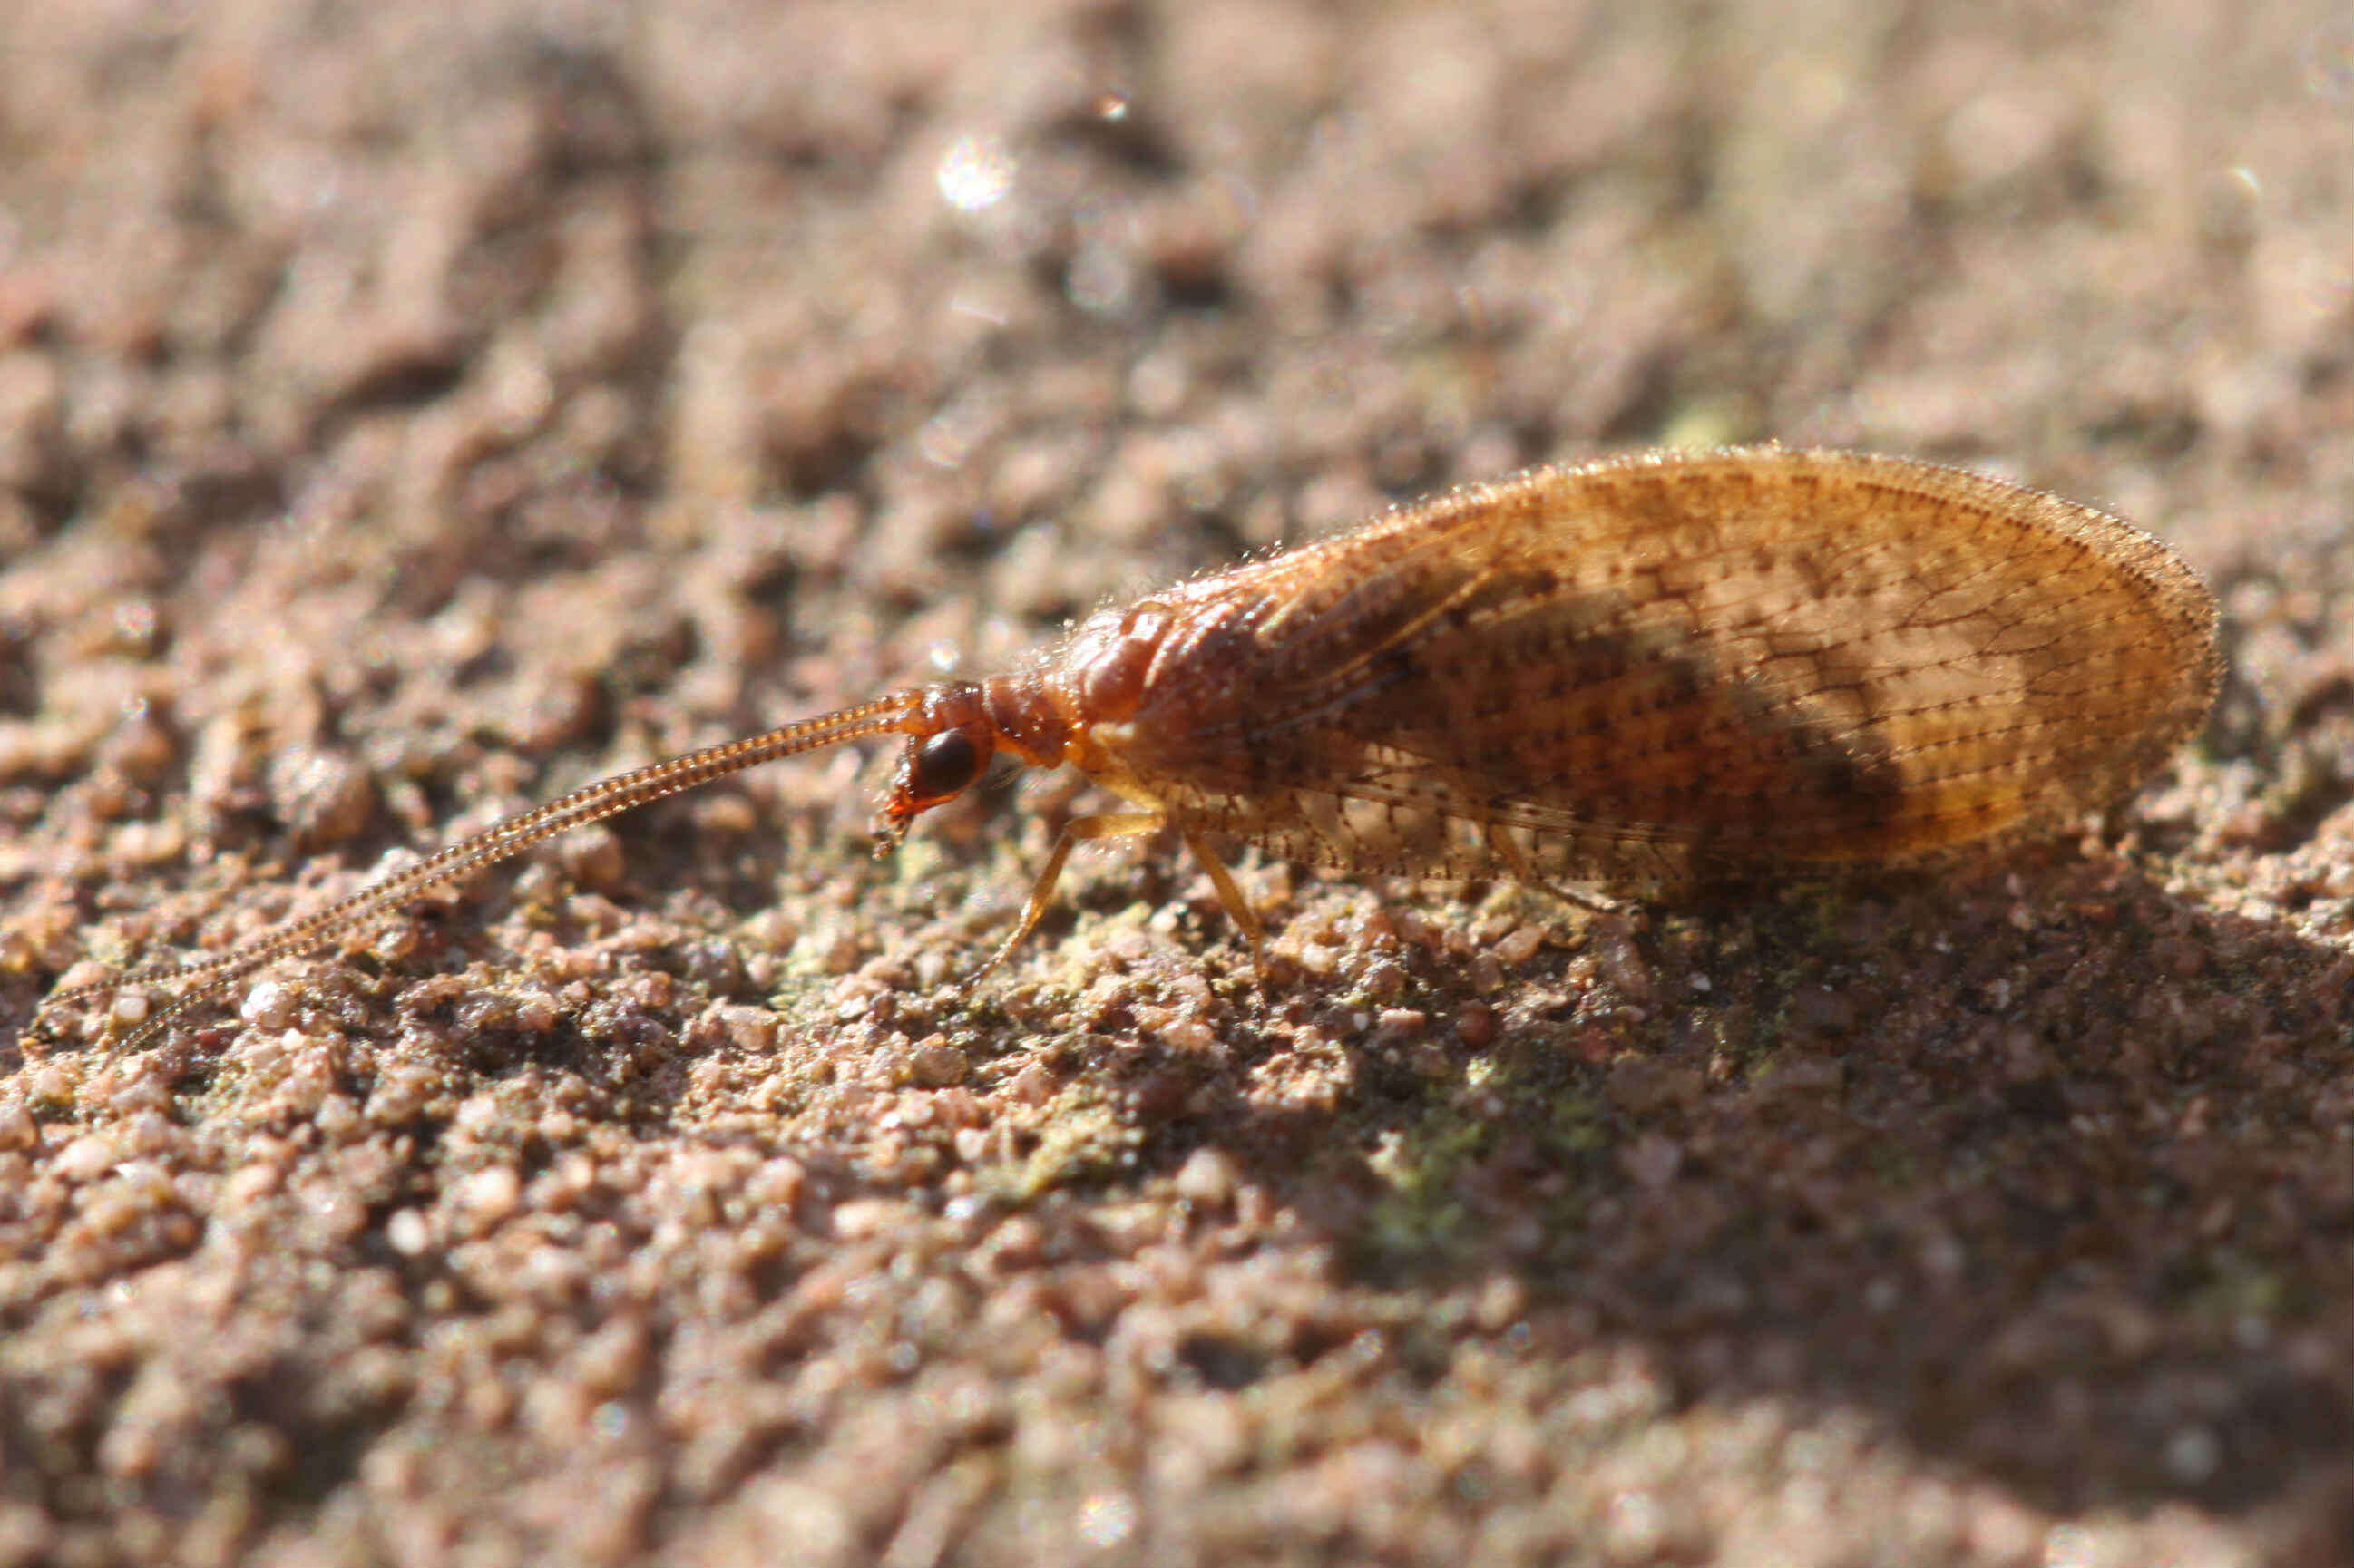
(408, 413)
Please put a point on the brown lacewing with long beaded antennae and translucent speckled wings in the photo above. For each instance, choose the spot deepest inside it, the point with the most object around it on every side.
(1647, 677)
